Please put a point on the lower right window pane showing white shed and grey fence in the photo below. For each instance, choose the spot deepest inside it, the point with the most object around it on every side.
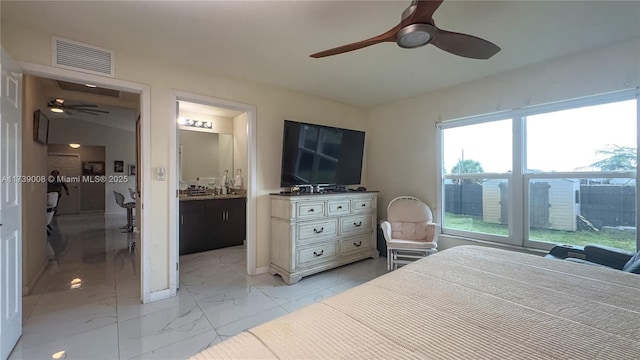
(583, 211)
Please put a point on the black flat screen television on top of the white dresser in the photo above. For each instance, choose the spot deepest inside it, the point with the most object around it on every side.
(320, 155)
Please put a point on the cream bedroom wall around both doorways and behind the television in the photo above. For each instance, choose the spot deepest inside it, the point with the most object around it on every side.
(273, 106)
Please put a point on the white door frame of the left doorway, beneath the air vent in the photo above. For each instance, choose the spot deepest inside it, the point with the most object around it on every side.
(144, 219)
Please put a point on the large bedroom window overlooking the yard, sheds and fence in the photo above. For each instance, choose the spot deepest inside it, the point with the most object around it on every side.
(562, 173)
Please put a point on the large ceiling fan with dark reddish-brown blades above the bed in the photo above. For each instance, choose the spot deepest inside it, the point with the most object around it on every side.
(416, 29)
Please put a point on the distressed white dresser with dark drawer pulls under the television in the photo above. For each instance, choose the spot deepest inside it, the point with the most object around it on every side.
(313, 233)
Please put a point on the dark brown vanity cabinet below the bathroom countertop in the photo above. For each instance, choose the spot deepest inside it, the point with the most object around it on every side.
(211, 224)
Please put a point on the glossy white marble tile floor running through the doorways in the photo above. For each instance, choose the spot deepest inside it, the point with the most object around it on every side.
(100, 316)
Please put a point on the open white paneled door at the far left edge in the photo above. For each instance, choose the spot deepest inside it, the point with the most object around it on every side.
(10, 205)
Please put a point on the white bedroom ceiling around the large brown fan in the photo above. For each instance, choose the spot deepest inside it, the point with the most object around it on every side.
(269, 42)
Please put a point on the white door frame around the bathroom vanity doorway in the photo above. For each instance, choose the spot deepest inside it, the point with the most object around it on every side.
(251, 176)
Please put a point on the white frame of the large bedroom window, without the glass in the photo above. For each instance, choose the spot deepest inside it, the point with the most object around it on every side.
(519, 179)
